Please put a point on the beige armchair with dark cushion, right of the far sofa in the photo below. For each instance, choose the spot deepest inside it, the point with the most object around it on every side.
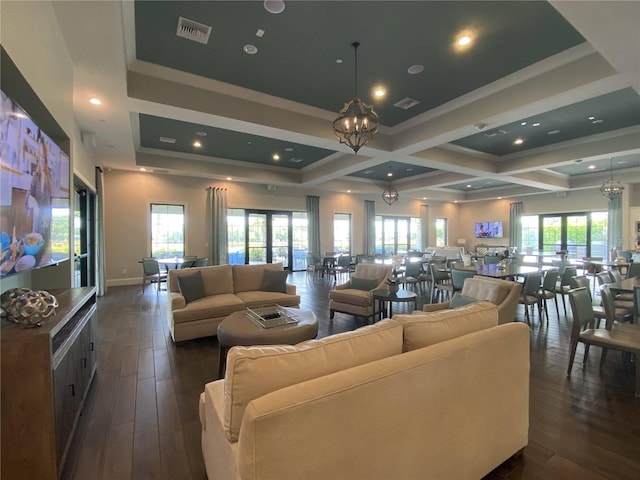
(346, 298)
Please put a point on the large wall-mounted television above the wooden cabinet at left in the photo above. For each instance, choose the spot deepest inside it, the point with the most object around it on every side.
(34, 194)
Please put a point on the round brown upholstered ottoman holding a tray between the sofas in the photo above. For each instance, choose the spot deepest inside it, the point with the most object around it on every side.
(239, 330)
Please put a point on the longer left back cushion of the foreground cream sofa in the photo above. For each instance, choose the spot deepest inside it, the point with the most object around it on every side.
(255, 371)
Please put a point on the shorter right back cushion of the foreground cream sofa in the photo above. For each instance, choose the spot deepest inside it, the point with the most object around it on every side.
(424, 329)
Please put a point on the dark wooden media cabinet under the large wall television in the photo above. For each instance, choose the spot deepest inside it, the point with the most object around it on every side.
(46, 373)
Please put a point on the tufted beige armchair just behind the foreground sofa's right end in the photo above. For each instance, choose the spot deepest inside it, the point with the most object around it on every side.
(503, 293)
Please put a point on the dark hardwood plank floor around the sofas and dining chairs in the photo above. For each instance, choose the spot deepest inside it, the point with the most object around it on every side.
(141, 417)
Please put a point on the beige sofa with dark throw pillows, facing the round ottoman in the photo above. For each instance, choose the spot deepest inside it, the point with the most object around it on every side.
(227, 289)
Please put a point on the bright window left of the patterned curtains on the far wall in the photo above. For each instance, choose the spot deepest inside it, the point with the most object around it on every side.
(167, 230)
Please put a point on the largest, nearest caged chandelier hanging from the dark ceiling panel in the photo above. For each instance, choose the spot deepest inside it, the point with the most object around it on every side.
(357, 122)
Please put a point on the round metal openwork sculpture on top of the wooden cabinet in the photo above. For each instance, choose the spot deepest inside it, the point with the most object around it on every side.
(27, 307)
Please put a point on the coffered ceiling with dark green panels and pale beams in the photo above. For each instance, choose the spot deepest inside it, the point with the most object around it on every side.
(543, 92)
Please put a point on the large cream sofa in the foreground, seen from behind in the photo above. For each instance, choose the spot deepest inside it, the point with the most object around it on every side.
(423, 396)
